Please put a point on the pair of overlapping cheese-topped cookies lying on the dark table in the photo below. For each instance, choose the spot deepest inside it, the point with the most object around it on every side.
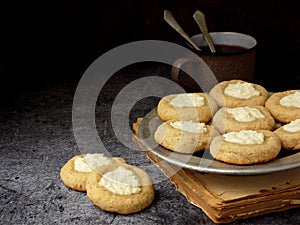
(110, 183)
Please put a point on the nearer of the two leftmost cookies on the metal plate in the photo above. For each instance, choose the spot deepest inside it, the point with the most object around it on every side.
(184, 136)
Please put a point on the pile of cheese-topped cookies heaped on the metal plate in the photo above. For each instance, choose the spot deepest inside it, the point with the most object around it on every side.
(237, 121)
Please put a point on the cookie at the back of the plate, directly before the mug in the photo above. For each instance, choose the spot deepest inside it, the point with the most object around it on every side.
(235, 93)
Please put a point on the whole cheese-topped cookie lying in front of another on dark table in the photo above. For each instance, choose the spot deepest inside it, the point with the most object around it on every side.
(122, 189)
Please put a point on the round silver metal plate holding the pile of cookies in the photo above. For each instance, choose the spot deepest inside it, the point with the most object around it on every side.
(205, 163)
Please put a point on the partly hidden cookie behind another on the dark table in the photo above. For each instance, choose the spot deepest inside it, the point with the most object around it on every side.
(77, 170)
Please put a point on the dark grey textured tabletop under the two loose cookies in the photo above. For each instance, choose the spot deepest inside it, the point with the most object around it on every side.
(37, 140)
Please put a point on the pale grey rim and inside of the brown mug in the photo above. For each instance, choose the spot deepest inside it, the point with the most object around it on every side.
(250, 45)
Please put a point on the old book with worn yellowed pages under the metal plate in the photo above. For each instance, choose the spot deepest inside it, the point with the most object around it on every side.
(226, 198)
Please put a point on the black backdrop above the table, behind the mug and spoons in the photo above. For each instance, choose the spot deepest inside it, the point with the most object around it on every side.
(44, 42)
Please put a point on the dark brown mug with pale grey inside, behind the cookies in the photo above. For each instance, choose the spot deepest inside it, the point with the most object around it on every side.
(234, 58)
